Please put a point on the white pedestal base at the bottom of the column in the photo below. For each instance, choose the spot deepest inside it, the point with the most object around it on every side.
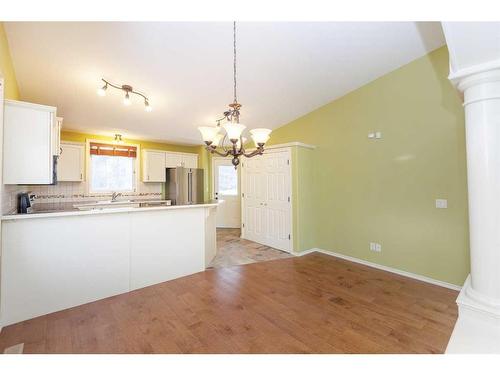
(478, 326)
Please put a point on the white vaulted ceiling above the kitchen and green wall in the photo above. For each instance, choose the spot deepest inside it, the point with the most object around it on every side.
(285, 70)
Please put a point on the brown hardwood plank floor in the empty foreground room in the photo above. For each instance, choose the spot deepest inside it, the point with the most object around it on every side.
(310, 304)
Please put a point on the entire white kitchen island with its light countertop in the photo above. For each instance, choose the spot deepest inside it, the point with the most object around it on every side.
(57, 260)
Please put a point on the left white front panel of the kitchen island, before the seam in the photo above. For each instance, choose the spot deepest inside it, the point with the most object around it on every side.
(55, 263)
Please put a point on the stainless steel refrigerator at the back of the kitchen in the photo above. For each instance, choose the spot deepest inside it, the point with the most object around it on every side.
(184, 185)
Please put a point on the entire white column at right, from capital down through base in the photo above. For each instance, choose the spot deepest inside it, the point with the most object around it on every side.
(478, 327)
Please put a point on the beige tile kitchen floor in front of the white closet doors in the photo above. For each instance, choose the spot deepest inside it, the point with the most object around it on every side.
(233, 250)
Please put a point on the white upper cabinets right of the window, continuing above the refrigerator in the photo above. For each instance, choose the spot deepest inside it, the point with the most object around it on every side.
(154, 163)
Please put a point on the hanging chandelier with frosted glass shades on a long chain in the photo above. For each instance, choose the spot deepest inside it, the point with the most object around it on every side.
(231, 141)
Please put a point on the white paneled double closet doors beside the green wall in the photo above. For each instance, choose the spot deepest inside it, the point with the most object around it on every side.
(266, 201)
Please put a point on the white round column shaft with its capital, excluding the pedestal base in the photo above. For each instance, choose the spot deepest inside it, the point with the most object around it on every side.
(482, 122)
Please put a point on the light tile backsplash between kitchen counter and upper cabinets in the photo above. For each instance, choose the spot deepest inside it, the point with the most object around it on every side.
(66, 192)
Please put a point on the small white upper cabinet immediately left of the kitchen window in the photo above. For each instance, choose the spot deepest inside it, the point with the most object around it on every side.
(70, 166)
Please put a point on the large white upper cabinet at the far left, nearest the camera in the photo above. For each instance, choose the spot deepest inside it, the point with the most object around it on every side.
(31, 143)
